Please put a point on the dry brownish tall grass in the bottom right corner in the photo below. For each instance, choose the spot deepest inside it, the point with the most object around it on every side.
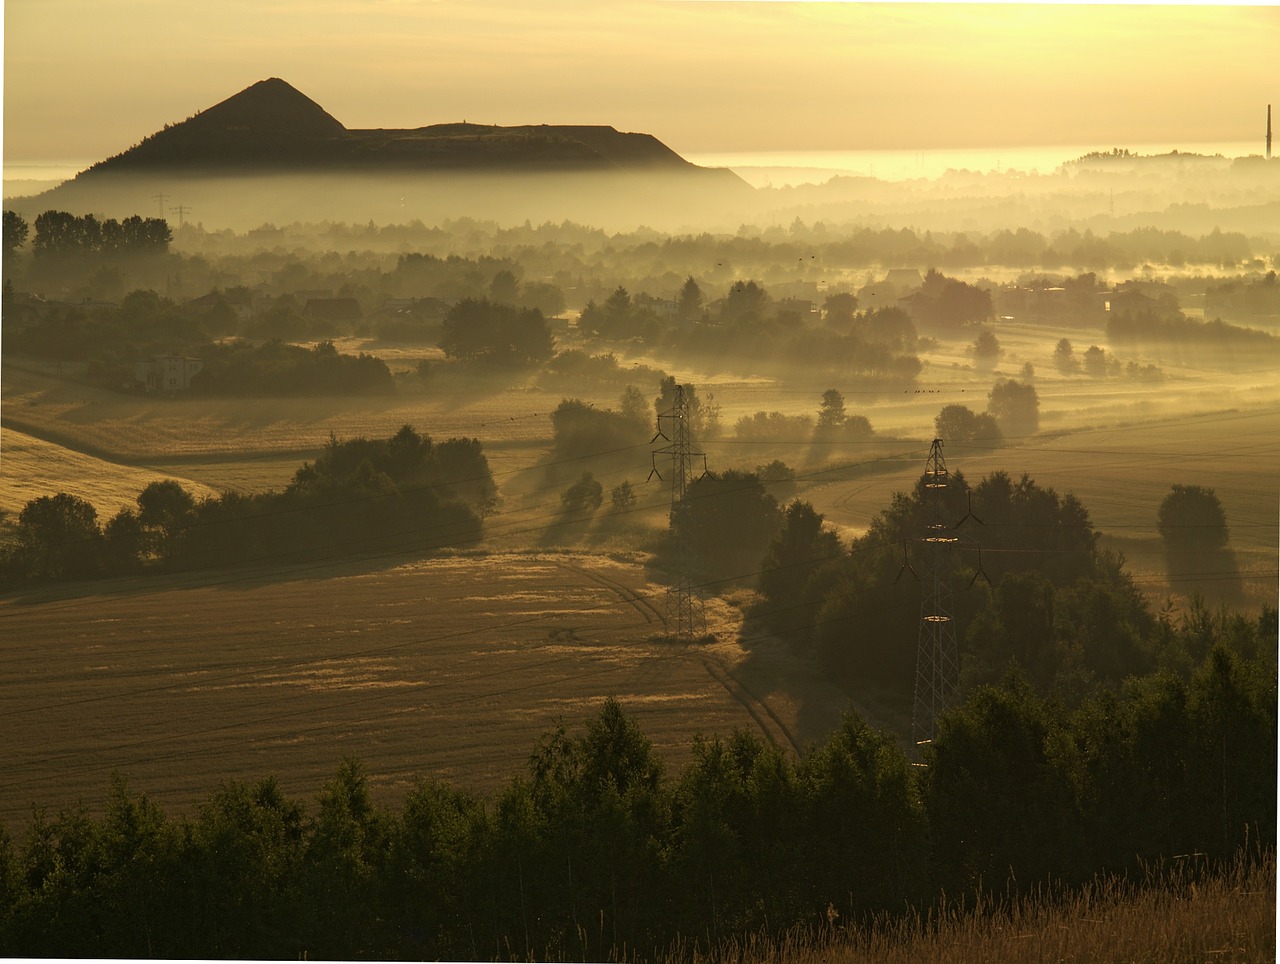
(1174, 915)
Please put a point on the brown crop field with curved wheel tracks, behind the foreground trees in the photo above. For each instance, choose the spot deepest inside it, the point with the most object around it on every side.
(450, 668)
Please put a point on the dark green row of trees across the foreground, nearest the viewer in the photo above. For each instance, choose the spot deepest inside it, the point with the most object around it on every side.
(596, 853)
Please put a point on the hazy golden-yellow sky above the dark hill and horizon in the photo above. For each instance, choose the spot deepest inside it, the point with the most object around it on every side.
(88, 79)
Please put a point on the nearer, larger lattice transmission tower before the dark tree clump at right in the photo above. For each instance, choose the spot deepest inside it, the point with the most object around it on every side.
(938, 660)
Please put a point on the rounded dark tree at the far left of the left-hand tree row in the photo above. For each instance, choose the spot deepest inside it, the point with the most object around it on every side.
(60, 538)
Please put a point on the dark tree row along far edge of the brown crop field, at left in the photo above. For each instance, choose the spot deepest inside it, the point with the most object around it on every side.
(360, 496)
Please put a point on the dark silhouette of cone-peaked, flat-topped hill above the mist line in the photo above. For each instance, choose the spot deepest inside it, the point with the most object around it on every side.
(272, 126)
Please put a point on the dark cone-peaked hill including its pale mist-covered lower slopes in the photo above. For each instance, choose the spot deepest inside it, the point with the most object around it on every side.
(271, 154)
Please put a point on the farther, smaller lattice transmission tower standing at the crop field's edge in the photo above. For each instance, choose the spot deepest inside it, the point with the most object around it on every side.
(685, 610)
